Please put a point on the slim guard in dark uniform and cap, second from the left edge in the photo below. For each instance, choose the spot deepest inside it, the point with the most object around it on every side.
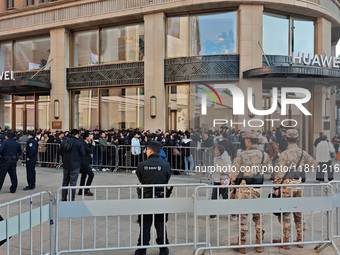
(31, 160)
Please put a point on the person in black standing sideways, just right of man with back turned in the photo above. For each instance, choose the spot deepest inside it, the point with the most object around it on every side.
(85, 168)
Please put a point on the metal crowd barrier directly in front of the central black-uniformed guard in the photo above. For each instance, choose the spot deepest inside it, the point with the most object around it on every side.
(107, 221)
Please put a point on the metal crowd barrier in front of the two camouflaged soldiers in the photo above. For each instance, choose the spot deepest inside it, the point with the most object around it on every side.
(315, 206)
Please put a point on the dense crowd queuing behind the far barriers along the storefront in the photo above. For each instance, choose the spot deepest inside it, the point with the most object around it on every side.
(181, 148)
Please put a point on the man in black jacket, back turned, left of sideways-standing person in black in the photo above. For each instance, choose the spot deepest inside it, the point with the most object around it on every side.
(72, 150)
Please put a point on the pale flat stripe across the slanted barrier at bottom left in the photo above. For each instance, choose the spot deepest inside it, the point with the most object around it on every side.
(13, 222)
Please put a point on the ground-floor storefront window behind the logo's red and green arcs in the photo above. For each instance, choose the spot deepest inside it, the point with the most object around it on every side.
(185, 102)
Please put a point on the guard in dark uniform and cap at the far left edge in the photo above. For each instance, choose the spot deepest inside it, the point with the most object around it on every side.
(10, 151)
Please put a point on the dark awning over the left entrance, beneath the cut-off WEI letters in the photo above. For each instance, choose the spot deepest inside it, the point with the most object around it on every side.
(23, 85)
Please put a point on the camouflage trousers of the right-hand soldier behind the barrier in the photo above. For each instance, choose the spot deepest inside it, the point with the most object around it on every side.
(287, 217)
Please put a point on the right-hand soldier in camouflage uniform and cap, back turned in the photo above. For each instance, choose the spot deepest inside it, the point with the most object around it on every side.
(290, 158)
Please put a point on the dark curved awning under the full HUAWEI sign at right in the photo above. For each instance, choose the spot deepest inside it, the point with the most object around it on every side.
(312, 75)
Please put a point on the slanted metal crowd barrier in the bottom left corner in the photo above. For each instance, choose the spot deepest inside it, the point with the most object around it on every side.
(27, 220)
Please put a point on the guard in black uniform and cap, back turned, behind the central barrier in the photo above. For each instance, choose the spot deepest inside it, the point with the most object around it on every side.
(153, 171)
